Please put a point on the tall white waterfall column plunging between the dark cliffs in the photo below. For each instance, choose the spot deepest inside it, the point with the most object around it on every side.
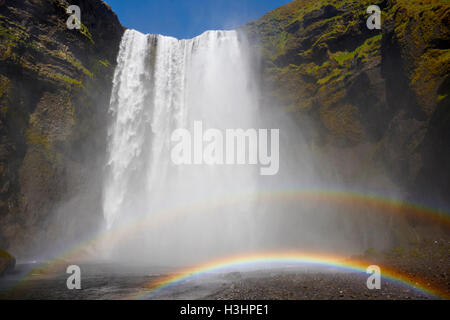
(162, 84)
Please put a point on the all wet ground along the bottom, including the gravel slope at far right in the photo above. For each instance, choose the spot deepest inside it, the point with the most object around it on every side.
(429, 261)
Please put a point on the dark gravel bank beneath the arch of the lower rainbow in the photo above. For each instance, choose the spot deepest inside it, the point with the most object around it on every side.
(314, 286)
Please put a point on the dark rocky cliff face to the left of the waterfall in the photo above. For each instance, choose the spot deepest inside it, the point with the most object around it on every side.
(54, 95)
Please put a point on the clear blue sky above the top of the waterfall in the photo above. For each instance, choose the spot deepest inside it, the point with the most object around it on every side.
(188, 18)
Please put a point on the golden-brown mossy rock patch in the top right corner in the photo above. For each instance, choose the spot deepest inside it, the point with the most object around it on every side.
(418, 26)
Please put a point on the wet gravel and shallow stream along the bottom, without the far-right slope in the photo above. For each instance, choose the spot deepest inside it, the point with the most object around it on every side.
(254, 285)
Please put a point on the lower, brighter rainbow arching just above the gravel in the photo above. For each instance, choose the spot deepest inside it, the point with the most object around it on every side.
(288, 258)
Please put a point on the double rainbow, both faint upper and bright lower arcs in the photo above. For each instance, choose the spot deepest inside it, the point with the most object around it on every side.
(384, 205)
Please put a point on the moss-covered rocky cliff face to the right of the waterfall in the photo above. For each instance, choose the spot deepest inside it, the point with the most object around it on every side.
(376, 102)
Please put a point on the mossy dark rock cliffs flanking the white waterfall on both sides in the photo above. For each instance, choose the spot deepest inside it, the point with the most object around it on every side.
(375, 102)
